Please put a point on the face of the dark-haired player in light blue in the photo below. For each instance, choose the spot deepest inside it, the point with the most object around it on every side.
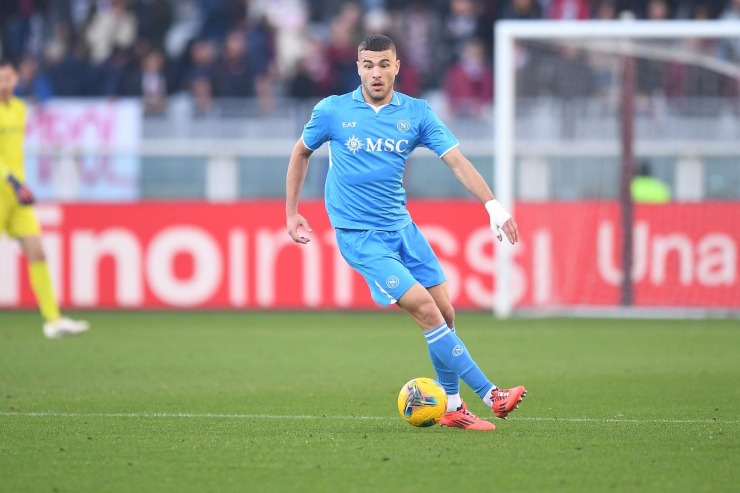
(378, 70)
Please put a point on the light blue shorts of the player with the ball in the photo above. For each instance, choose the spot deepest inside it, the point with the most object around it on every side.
(390, 261)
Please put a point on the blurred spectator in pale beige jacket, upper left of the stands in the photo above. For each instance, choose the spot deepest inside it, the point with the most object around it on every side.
(110, 29)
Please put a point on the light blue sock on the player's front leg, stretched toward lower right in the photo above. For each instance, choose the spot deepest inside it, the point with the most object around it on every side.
(451, 351)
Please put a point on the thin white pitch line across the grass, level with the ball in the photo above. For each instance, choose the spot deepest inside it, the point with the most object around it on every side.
(272, 416)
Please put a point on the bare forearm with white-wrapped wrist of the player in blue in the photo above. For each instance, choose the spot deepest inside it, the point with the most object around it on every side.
(471, 179)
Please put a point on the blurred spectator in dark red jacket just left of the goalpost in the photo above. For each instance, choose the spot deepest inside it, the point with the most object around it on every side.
(468, 84)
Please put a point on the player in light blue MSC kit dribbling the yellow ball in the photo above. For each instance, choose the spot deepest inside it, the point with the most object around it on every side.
(371, 133)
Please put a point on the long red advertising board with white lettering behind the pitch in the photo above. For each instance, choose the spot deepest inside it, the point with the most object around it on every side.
(239, 256)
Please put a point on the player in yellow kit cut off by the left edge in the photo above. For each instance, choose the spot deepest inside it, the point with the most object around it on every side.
(17, 217)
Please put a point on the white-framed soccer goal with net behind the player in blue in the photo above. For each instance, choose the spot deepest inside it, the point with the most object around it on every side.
(618, 149)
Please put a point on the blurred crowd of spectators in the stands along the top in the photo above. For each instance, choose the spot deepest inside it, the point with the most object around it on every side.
(263, 49)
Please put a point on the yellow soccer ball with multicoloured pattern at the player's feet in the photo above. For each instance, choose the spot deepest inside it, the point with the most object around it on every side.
(422, 402)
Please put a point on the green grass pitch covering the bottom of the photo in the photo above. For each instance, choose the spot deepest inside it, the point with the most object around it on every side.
(307, 402)
